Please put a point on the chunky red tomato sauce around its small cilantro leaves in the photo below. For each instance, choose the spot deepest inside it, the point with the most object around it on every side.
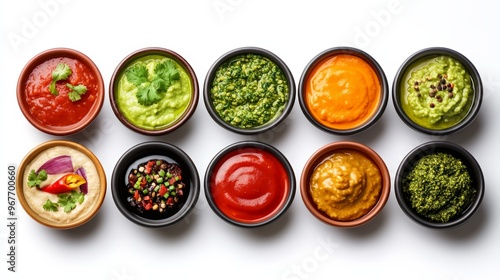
(60, 110)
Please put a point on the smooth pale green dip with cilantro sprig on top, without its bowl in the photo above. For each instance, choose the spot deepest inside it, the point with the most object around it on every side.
(153, 92)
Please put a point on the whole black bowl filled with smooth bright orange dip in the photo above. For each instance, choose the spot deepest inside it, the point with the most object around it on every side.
(339, 58)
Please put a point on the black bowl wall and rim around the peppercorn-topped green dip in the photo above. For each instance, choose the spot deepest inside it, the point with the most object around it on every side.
(402, 76)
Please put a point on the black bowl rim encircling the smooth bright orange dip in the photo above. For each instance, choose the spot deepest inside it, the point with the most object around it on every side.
(373, 64)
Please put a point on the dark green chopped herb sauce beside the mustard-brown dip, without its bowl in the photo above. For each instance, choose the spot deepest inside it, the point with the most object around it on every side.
(439, 187)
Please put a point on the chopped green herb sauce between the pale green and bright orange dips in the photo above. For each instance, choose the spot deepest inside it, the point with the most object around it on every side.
(249, 91)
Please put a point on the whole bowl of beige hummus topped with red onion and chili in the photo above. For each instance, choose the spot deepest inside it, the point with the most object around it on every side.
(61, 184)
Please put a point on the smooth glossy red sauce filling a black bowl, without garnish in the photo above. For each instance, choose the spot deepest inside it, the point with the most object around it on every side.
(249, 185)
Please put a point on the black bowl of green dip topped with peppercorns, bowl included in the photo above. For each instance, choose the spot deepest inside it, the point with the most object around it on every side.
(437, 91)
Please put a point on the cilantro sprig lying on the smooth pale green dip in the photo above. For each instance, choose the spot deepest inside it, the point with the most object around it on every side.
(151, 90)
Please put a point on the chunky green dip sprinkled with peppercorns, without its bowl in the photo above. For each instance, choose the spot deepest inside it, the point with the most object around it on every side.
(438, 93)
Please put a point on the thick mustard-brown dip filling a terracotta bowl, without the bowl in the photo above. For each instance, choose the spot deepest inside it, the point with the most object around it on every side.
(346, 185)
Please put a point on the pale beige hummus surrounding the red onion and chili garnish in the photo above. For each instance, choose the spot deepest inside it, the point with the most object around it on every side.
(37, 198)
